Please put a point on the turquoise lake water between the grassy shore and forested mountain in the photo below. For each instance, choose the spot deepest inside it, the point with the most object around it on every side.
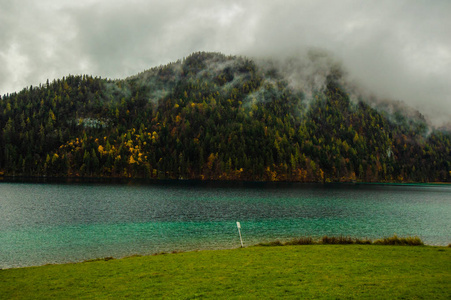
(55, 223)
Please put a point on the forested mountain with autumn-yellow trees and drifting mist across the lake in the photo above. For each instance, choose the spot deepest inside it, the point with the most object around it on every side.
(211, 116)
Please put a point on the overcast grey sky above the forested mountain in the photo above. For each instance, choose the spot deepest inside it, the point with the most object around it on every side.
(397, 49)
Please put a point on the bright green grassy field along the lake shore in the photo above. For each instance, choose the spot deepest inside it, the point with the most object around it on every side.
(310, 271)
